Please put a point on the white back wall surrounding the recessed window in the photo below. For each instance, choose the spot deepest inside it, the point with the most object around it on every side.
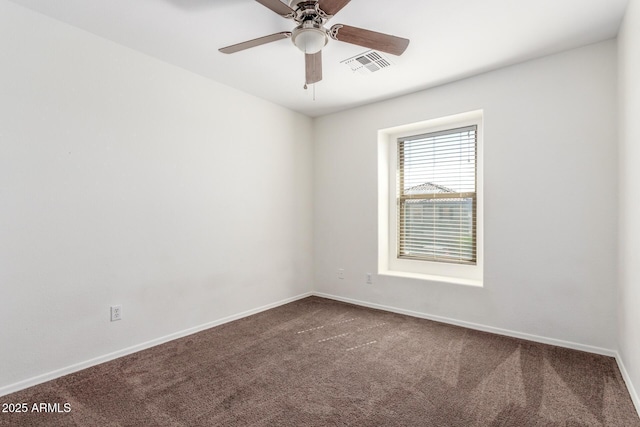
(550, 145)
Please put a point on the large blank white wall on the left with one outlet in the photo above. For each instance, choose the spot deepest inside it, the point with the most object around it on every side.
(124, 180)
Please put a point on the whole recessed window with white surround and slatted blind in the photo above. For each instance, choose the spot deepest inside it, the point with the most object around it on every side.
(430, 200)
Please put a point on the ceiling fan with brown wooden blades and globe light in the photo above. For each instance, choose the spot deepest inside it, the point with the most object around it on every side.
(310, 36)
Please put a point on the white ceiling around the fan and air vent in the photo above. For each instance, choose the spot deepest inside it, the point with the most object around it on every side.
(450, 39)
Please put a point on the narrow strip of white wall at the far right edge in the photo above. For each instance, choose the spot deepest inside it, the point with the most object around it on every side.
(629, 295)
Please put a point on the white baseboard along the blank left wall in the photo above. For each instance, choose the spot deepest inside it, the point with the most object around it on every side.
(21, 385)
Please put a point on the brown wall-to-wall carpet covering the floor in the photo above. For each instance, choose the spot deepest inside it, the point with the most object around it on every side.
(317, 362)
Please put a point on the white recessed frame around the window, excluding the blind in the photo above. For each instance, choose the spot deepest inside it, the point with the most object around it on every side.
(388, 262)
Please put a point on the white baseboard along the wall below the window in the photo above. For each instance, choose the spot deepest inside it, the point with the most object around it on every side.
(476, 326)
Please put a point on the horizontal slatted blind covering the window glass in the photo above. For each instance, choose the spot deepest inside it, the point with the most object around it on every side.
(437, 196)
